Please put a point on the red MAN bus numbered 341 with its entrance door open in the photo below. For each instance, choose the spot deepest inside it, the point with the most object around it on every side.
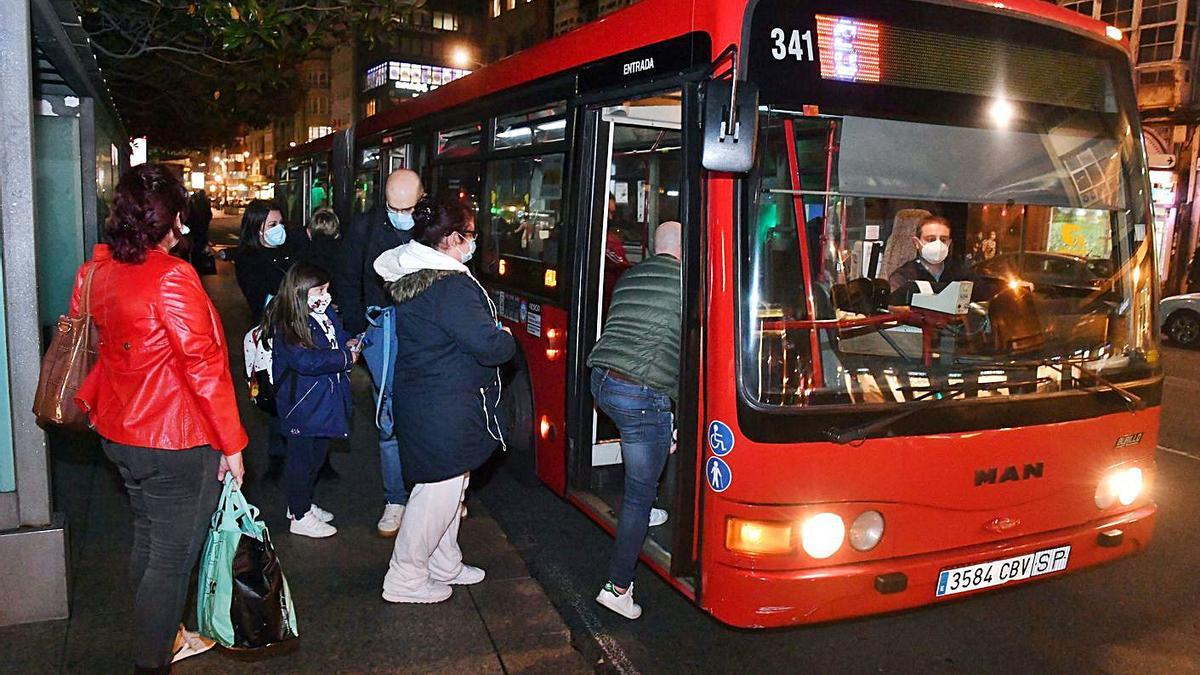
(849, 445)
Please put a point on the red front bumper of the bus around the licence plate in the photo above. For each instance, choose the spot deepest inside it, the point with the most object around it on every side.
(758, 599)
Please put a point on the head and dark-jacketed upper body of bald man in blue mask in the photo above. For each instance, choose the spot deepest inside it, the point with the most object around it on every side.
(387, 226)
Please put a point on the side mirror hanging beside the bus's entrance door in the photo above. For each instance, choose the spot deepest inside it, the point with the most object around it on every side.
(731, 126)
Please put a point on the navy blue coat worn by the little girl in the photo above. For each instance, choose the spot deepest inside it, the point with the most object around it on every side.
(314, 386)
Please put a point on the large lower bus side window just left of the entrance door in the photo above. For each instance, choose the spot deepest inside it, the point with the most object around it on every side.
(526, 201)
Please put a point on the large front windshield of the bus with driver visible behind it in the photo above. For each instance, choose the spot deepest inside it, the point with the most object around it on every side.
(997, 249)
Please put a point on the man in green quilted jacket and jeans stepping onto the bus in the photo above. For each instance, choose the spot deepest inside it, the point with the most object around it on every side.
(635, 378)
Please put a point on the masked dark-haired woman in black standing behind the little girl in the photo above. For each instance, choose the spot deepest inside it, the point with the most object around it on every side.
(263, 256)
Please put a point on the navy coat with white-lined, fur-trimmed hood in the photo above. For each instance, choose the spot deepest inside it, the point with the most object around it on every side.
(448, 349)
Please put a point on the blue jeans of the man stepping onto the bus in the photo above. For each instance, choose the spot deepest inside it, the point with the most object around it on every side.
(644, 419)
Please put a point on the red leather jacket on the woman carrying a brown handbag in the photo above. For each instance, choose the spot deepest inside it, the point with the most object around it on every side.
(163, 379)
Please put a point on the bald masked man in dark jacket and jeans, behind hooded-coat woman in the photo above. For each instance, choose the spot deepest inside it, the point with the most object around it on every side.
(357, 288)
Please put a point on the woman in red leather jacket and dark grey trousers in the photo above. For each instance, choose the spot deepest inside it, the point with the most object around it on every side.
(161, 398)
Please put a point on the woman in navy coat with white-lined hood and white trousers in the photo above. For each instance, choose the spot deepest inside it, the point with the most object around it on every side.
(447, 390)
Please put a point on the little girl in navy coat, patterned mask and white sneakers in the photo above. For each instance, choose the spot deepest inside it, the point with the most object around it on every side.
(311, 363)
